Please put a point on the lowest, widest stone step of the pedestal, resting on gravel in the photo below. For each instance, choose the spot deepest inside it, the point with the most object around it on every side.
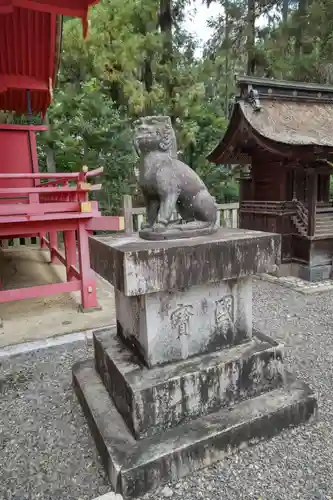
(135, 467)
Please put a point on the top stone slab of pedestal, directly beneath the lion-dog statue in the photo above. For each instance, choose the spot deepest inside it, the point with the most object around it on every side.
(137, 267)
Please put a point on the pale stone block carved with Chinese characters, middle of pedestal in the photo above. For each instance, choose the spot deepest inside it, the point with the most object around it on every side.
(165, 327)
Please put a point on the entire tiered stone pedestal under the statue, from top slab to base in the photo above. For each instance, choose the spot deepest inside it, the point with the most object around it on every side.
(183, 378)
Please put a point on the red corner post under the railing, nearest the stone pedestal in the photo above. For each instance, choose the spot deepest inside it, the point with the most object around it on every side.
(88, 281)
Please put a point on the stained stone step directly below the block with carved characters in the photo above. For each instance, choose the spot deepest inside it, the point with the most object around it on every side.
(152, 400)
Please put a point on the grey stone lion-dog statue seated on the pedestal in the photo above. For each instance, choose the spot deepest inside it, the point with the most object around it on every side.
(168, 184)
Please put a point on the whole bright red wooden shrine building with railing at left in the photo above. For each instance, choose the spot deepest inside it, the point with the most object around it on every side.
(33, 203)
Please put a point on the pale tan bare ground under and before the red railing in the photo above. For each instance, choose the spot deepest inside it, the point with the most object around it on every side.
(35, 319)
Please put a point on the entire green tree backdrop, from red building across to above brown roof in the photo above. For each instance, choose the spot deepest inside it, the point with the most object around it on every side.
(140, 60)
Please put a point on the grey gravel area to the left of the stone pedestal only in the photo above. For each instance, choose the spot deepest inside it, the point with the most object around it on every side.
(46, 451)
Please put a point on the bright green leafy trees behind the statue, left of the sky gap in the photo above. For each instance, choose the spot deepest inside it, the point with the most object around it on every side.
(137, 60)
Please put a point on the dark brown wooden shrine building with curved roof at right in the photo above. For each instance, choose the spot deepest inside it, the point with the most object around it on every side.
(281, 132)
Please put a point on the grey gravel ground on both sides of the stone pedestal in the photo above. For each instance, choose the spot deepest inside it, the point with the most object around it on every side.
(47, 451)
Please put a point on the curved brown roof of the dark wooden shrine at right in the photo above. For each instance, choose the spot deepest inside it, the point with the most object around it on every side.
(285, 119)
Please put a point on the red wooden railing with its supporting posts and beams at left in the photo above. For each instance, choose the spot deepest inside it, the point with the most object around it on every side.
(59, 205)
